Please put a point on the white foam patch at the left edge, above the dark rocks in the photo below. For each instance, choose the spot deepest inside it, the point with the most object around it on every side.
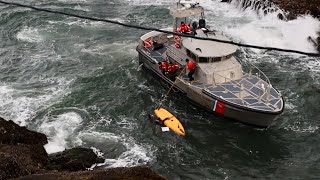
(20, 106)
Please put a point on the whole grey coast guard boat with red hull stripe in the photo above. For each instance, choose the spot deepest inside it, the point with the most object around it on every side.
(221, 84)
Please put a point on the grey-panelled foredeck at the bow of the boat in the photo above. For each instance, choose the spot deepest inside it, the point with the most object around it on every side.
(250, 91)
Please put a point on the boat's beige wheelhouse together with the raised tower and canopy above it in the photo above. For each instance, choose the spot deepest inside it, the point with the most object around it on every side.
(215, 61)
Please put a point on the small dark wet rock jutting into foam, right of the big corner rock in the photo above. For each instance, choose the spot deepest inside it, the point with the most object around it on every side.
(74, 159)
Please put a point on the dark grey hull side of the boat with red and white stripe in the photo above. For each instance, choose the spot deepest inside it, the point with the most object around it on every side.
(213, 104)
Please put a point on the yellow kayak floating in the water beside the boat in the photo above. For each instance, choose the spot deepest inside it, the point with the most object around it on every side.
(170, 121)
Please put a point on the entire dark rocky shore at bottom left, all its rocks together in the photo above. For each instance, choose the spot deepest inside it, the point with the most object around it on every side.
(23, 156)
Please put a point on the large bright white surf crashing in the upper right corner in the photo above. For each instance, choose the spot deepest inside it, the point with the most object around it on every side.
(247, 27)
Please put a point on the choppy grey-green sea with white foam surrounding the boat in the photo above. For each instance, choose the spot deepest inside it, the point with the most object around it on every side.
(79, 82)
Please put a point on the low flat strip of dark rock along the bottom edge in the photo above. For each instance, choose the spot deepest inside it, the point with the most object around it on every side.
(133, 173)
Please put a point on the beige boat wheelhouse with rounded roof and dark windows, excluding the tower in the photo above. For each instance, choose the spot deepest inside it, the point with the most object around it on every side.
(215, 61)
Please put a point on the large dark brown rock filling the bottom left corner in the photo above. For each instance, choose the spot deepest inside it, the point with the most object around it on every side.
(21, 150)
